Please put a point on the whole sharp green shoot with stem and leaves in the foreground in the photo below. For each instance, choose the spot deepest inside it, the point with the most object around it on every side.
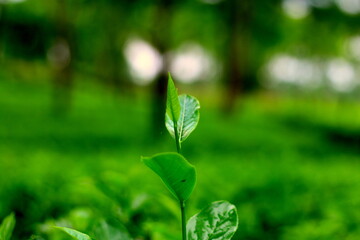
(217, 221)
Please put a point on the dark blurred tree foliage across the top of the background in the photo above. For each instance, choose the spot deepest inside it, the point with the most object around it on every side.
(97, 32)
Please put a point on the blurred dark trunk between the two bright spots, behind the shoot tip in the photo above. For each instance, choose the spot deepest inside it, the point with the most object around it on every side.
(161, 38)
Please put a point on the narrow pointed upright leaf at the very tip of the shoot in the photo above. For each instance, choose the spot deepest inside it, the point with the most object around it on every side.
(172, 102)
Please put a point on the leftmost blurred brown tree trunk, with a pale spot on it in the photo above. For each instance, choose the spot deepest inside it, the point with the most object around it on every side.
(60, 56)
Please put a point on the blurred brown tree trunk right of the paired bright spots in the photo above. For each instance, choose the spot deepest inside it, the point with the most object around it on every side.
(238, 17)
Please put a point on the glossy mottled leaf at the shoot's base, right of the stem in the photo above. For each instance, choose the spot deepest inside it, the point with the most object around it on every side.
(216, 222)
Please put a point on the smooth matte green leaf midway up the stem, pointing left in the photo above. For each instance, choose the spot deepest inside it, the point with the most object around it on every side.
(175, 171)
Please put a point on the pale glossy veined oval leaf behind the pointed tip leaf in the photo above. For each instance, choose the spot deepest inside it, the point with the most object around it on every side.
(189, 117)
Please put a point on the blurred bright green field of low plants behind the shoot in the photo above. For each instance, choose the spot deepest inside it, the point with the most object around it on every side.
(288, 179)
